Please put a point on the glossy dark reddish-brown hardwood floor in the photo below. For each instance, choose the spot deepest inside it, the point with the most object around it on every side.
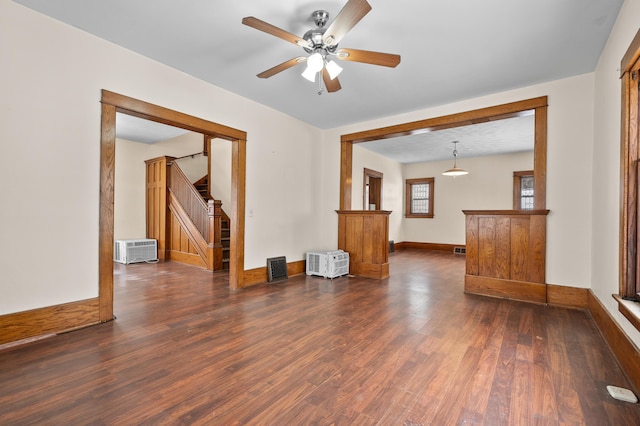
(408, 350)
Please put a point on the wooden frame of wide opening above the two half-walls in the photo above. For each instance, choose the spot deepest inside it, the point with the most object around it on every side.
(498, 112)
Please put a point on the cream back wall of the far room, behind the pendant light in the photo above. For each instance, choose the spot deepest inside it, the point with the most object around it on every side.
(488, 186)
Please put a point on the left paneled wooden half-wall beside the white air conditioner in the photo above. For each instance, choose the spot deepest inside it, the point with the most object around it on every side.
(365, 236)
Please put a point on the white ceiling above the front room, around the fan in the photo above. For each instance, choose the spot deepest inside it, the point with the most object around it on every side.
(451, 49)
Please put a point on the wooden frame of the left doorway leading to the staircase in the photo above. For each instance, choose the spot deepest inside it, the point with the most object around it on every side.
(112, 103)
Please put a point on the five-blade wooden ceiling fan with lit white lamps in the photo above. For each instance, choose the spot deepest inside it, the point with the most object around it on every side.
(322, 45)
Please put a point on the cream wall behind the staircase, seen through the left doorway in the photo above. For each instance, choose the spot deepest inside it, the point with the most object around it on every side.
(130, 178)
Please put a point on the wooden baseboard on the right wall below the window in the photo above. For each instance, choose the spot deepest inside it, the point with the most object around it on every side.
(625, 351)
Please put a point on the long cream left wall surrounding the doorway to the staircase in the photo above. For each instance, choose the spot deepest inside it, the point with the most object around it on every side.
(51, 79)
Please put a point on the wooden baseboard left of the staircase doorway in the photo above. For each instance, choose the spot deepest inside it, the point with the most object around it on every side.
(49, 320)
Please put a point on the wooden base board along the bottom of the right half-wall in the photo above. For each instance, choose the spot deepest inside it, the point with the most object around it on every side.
(507, 289)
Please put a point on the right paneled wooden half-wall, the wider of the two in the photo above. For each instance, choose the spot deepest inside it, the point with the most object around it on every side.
(506, 252)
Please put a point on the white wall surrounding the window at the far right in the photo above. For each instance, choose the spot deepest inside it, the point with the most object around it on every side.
(606, 164)
